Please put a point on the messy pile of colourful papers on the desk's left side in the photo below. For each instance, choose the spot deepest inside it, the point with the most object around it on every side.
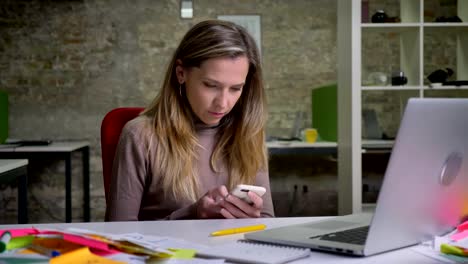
(67, 246)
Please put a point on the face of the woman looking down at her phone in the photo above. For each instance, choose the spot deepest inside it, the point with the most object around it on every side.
(215, 87)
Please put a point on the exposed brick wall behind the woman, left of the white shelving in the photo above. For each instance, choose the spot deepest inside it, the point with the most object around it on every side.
(66, 63)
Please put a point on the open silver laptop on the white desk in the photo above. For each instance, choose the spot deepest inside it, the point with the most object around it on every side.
(424, 191)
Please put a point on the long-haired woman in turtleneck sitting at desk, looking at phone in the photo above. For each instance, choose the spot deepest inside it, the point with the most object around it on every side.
(201, 136)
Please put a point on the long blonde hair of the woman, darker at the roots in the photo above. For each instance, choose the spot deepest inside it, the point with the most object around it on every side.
(241, 135)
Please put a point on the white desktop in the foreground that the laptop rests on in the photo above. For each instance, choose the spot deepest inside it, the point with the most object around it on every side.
(197, 231)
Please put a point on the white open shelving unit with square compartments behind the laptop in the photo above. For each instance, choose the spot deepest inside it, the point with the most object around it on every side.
(417, 46)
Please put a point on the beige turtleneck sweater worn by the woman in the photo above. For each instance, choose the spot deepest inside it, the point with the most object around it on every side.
(136, 192)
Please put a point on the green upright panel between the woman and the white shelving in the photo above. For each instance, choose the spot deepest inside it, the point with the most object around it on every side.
(324, 112)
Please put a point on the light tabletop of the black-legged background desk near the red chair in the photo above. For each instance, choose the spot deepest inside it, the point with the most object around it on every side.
(59, 146)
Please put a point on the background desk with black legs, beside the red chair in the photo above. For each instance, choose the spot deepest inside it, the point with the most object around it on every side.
(62, 151)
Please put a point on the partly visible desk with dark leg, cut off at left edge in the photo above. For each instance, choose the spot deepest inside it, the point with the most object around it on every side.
(16, 169)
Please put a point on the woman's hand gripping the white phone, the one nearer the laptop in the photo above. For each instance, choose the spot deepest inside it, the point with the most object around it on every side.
(234, 207)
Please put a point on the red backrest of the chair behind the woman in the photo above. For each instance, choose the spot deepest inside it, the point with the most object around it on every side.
(111, 128)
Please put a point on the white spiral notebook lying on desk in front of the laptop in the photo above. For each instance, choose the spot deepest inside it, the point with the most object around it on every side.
(253, 252)
